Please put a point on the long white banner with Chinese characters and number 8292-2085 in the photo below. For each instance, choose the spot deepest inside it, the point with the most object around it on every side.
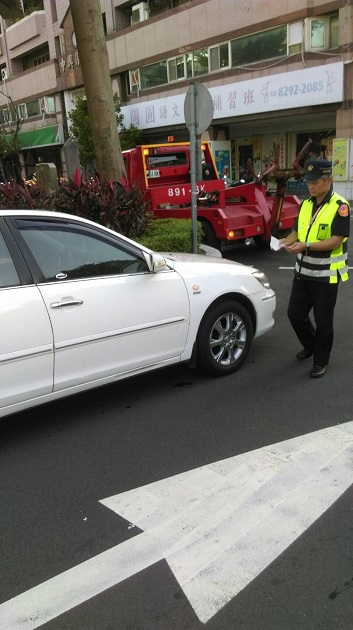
(310, 86)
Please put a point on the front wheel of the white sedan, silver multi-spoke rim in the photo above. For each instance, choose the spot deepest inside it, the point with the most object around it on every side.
(224, 338)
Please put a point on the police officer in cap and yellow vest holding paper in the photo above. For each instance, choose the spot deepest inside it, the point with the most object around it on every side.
(319, 240)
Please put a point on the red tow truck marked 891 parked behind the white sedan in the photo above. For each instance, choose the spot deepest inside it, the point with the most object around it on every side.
(230, 214)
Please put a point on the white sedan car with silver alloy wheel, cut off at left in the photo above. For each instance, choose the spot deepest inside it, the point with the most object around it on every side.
(81, 306)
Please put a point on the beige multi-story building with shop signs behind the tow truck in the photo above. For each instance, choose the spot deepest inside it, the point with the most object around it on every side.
(276, 71)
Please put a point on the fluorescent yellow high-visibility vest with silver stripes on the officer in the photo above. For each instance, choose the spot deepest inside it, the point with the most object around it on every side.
(323, 266)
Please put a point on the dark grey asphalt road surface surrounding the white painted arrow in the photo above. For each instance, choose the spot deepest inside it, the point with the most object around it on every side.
(59, 461)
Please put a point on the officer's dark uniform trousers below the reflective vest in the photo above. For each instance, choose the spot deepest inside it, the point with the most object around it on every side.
(321, 297)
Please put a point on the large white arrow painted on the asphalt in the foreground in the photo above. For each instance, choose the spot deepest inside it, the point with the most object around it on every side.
(217, 526)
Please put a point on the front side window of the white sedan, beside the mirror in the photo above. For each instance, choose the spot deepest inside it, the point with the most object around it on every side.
(62, 249)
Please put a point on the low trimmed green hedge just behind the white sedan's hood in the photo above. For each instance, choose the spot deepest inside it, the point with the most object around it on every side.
(170, 235)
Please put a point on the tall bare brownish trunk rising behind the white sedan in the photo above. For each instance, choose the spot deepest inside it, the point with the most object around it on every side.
(93, 54)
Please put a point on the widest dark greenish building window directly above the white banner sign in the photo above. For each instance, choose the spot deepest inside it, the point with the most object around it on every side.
(259, 47)
